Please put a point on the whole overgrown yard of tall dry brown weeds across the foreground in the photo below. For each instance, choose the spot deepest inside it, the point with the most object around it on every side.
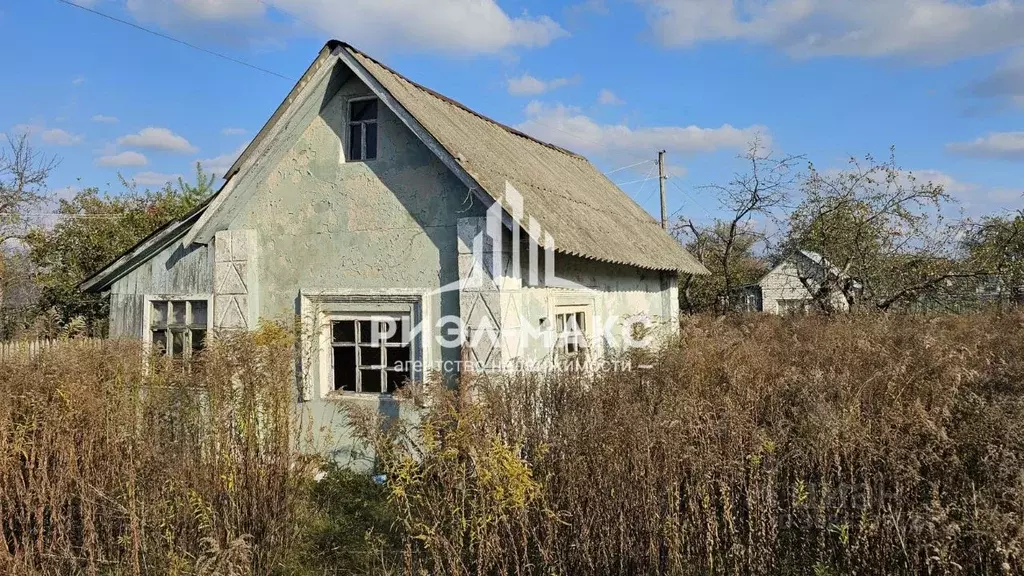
(861, 445)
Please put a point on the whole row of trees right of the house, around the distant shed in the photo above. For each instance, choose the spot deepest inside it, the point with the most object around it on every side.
(888, 240)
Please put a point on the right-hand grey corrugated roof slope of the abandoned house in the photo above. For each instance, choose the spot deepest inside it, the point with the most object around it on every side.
(583, 211)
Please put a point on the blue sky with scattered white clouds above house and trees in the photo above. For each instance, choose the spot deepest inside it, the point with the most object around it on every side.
(616, 80)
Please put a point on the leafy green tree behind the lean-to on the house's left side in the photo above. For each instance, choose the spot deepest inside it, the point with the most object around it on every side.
(95, 230)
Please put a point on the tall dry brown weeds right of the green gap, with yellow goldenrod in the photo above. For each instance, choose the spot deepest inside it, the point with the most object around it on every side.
(873, 445)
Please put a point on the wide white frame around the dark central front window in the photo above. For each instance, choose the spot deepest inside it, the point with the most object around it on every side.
(320, 310)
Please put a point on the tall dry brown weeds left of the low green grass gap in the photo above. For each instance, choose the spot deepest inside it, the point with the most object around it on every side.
(113, 466)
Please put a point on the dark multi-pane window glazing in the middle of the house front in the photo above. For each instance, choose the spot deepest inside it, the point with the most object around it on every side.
(371, 355)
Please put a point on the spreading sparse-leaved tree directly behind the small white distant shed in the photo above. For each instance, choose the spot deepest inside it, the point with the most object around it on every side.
(886, 240)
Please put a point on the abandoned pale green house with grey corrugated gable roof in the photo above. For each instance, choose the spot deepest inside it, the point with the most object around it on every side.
(365, 201)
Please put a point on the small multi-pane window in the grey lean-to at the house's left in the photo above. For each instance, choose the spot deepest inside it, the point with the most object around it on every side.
(179, 328)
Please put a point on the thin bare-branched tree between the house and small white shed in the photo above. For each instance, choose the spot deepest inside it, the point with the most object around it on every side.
(727, 245)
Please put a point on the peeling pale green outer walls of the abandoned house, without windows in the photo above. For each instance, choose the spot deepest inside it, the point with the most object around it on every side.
(324, 225)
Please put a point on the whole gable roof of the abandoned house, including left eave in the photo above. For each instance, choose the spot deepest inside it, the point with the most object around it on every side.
(580, 208)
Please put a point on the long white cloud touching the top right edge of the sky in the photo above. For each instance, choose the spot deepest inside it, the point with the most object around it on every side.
(928, 30)
